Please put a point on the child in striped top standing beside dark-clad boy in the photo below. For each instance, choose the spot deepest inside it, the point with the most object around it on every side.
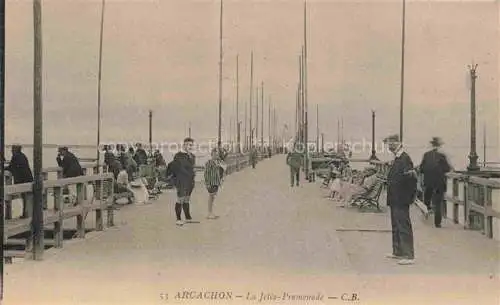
(213, 179)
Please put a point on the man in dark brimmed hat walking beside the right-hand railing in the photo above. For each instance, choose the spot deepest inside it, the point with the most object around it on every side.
(434, 167)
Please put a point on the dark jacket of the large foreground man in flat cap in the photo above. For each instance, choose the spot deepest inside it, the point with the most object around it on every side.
(401, 186)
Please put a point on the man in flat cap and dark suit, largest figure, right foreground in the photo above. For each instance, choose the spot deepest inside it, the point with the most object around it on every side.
(401, 190)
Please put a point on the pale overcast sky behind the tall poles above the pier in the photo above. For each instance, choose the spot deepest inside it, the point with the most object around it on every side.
(163, 55)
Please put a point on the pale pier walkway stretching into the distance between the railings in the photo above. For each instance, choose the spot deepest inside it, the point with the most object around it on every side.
(271, 243)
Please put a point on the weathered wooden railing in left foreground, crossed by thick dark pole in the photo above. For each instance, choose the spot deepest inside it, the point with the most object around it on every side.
(95, 200)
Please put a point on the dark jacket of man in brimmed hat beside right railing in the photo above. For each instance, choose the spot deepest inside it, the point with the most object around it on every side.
(434, 167)
